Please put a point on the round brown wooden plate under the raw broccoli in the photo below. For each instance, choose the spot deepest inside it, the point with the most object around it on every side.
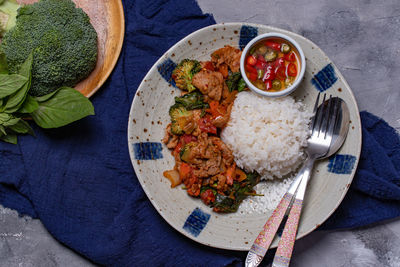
(107, 17)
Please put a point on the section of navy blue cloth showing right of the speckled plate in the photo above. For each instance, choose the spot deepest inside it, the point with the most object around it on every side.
(374, 194)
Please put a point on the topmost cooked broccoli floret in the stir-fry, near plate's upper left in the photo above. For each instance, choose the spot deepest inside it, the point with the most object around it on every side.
(184, 72)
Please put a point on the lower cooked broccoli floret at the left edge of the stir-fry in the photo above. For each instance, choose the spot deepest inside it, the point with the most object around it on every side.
(181, 119)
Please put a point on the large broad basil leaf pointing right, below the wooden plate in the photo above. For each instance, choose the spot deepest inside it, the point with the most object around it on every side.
(66, 106)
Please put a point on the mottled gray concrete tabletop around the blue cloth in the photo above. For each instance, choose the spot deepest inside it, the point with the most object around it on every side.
(362, 39)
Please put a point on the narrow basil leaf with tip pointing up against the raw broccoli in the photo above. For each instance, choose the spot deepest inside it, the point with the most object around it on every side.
(16, 100)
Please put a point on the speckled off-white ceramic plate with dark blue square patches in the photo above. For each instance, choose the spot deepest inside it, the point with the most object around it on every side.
(148, 118)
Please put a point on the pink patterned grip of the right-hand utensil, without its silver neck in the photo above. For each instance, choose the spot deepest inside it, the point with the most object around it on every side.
(286, 244)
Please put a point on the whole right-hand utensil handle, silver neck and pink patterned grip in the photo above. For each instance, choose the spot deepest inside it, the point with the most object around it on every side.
(286, 243)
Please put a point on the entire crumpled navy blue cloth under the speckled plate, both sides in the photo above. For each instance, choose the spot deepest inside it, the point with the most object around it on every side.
(80, 183)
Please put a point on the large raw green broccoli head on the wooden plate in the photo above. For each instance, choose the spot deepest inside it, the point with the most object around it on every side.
(63, 42)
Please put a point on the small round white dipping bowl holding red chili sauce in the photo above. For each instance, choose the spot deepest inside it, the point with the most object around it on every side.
(277, 37)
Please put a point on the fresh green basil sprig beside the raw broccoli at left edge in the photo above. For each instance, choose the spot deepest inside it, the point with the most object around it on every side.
(57, 109)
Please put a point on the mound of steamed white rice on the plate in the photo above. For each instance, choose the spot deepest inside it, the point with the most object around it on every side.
(267, 135)
